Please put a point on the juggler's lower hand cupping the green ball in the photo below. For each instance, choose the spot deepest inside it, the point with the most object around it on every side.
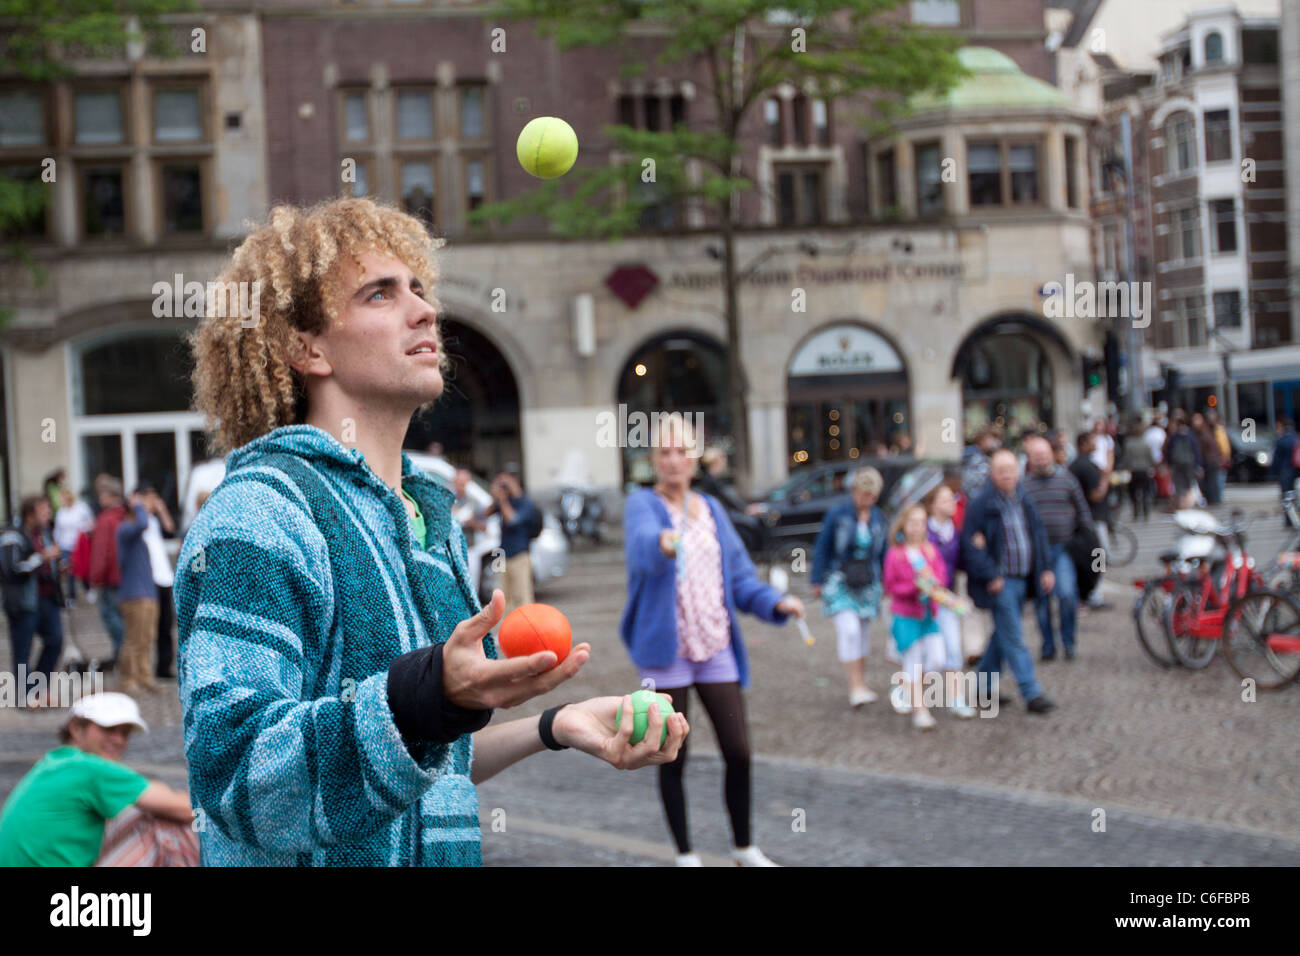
(590, 726)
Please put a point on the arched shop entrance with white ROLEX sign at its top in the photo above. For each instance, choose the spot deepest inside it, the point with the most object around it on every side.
(848, 393)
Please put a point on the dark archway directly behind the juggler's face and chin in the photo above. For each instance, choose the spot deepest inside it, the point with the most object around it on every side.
(476, 421)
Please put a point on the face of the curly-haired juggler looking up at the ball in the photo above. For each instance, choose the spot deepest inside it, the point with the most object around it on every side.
(370, 351)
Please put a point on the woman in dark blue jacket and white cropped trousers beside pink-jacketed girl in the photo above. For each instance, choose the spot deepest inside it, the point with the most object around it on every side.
(848, 564)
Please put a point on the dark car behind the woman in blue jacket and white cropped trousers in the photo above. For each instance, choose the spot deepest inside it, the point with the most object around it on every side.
(794, 512)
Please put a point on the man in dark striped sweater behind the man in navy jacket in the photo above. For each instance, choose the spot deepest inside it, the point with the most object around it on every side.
(1063, 509)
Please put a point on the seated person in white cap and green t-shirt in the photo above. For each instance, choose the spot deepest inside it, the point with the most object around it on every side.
(80, 806)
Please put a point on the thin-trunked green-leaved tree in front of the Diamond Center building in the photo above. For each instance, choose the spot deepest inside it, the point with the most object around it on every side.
(744, 50)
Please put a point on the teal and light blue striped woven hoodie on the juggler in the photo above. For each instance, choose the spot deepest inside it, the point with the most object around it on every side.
(297, 586)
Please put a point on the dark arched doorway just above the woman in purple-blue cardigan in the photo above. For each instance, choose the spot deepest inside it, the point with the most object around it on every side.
(674, 373)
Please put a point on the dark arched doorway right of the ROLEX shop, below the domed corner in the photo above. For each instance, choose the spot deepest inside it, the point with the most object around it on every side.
(1008, 377)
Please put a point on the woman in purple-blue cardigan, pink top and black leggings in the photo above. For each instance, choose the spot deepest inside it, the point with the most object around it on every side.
(688, 577)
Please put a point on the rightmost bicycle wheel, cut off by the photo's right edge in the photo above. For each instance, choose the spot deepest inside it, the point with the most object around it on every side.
(1262, 638)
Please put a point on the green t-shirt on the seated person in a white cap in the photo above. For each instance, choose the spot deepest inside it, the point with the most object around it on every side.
(55, 816)
